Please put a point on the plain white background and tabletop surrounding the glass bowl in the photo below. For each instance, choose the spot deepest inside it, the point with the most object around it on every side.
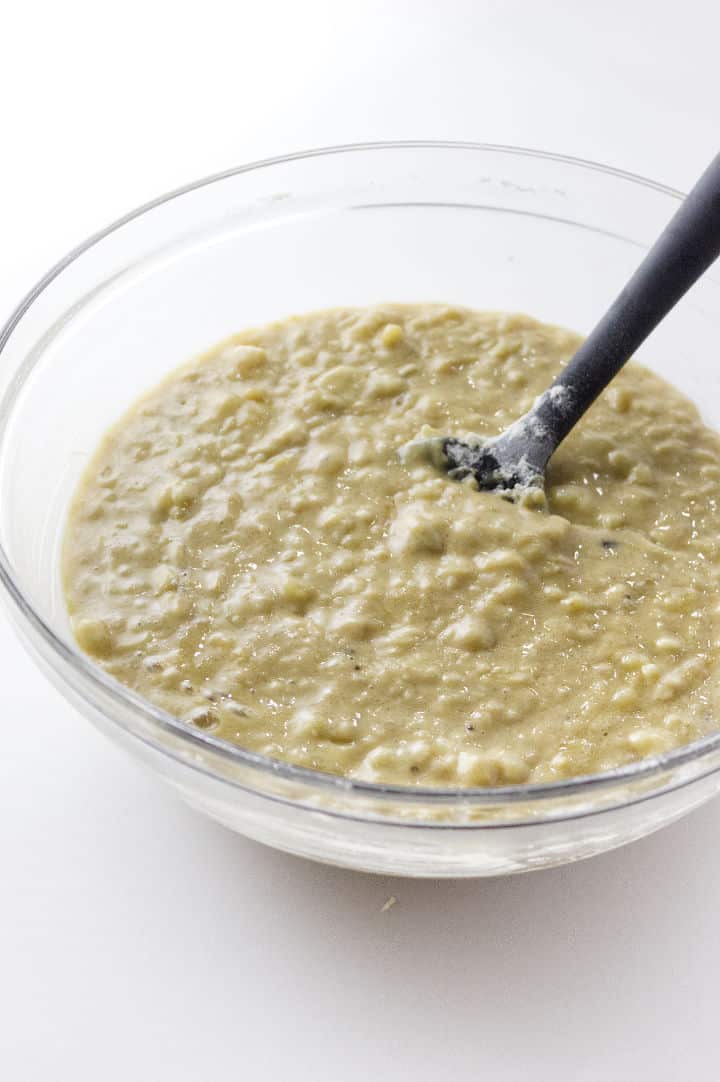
(139, 942)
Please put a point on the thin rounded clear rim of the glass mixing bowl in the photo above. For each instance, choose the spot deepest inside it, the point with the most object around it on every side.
(99, 680)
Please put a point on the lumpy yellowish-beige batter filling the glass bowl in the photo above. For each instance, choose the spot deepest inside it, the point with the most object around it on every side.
(248, 551)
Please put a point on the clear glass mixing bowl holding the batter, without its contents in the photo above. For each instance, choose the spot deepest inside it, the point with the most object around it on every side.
(488, 227)
